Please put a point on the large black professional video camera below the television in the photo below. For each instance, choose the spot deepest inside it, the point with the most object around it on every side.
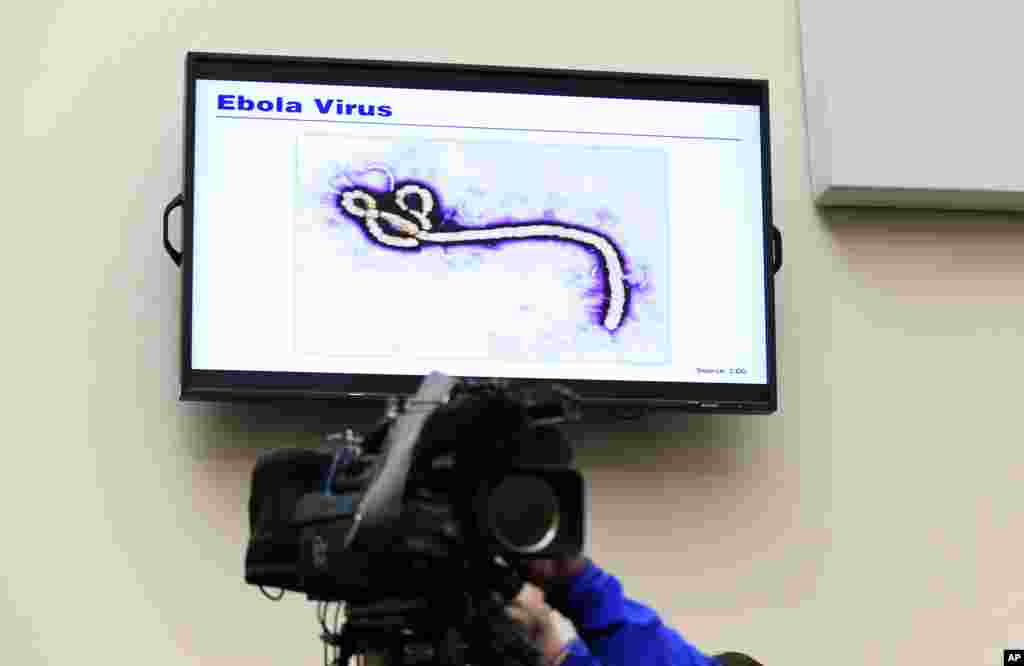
(420, 526)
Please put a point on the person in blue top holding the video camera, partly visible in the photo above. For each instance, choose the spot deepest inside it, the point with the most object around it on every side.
(614, 631)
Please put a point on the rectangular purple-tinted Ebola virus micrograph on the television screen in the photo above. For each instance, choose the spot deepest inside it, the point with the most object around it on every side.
(460, 252)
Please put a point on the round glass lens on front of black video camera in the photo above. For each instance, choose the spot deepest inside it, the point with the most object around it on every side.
(524, 513)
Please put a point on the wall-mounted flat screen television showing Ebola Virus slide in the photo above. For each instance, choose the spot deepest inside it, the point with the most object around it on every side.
(352, 226)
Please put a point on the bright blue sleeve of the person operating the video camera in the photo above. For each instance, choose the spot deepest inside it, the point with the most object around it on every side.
(618, 631)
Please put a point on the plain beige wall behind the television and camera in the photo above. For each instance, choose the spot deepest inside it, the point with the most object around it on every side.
(877, 520)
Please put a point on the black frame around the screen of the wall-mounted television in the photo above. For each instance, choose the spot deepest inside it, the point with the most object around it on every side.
(252, 387)
